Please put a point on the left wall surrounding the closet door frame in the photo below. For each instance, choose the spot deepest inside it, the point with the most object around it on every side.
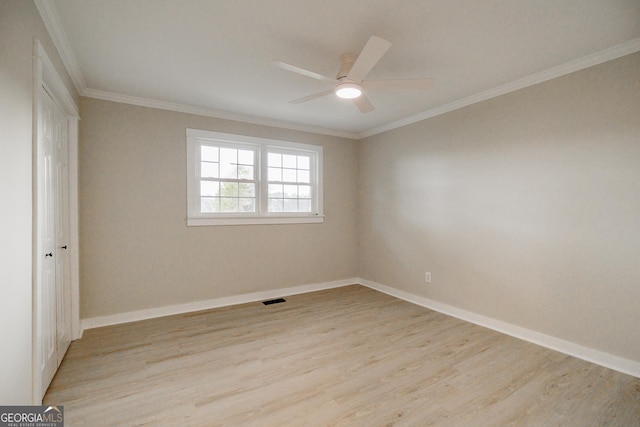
(20, 23)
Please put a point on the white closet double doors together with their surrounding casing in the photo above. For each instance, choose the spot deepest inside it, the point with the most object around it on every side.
(55, 263)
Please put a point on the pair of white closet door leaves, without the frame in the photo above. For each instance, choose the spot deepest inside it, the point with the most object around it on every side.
(53, 291)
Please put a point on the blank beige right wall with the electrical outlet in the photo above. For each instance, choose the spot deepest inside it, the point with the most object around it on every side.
(525, 208)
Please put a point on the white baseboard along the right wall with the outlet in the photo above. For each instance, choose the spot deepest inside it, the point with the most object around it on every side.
(601, 358)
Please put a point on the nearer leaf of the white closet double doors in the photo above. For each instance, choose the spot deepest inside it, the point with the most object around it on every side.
(45, 299)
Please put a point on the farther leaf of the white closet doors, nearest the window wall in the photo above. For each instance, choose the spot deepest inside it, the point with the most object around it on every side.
(62, 236)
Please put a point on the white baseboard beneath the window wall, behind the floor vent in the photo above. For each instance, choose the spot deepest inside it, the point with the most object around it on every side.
(151, 313)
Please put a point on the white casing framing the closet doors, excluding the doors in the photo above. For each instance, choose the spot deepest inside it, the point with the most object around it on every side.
(45, 74)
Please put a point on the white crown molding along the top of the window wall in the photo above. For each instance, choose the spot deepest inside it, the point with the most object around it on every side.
(209, 112)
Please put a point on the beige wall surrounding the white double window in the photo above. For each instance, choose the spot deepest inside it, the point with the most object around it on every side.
(138, 253)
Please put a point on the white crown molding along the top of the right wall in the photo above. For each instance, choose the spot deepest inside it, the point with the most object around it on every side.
(600, 57)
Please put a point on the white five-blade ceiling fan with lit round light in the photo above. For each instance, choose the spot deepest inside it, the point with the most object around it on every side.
(349, 82)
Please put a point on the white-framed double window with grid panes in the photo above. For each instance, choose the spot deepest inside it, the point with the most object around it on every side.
(234, 179)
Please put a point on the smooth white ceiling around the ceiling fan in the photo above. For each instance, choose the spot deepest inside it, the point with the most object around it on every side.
(213, 56)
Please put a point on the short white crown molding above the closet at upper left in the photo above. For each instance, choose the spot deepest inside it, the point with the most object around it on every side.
(51, 19)
